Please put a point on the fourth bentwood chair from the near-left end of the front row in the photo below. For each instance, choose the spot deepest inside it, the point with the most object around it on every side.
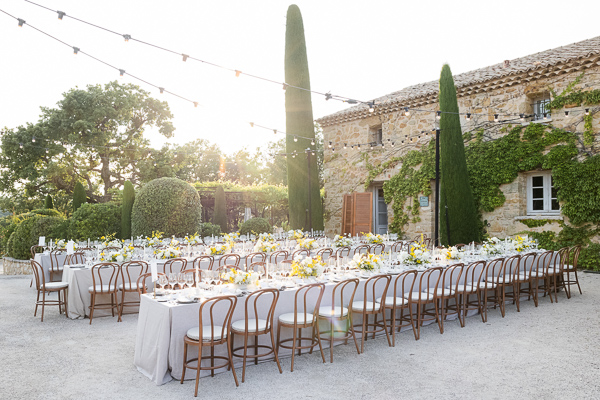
(337, 316)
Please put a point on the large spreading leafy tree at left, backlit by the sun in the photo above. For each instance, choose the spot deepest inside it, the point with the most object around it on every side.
(94, 135)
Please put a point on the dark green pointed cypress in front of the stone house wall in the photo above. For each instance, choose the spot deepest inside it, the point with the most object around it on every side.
(458, 216)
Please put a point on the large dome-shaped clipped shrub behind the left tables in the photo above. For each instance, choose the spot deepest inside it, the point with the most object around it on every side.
(167, 205)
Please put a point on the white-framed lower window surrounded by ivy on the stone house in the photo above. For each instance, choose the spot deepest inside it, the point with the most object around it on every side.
(541, 194)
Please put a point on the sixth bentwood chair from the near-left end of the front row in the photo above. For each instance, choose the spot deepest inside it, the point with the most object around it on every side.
(402, 284)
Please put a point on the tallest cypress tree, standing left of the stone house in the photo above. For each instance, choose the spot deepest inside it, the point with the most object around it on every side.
(303, 178)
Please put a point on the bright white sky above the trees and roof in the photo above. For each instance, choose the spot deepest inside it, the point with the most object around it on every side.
(358, 49)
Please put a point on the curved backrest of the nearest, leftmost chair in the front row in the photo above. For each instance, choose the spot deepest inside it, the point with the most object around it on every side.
(216, 313)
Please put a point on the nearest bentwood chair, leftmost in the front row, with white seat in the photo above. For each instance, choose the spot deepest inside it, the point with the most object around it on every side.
(213, 330)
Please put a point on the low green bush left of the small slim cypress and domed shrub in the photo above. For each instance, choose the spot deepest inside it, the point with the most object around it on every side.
(92, 221)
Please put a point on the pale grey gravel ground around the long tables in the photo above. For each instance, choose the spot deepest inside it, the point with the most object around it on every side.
(547, 352)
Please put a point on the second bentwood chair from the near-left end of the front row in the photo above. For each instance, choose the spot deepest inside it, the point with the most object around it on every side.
(256, 322)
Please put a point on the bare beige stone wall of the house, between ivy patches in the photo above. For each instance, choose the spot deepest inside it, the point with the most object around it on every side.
(345, 169)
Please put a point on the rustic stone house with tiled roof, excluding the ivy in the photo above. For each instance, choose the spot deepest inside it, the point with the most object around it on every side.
(509, 89)
